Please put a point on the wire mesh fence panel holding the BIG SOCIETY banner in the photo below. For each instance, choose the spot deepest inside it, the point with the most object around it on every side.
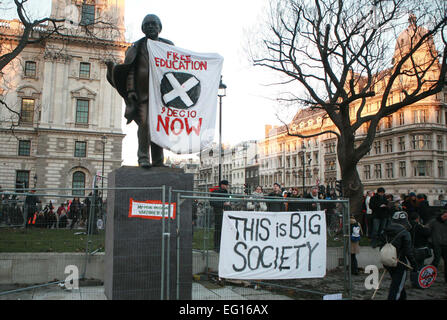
(206, 242)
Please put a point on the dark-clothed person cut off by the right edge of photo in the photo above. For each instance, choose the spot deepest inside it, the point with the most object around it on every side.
(438, 228)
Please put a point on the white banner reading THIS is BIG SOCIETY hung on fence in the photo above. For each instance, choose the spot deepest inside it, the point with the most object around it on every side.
(273, 245)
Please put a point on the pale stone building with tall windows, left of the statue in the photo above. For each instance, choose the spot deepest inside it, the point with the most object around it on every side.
(70, 117)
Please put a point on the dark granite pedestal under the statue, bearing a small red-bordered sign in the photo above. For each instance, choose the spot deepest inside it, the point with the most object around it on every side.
(133, 259)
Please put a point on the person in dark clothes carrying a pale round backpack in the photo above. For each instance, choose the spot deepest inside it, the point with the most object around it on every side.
(397, 235)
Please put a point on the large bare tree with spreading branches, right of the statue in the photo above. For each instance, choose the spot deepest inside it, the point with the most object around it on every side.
(341, 54)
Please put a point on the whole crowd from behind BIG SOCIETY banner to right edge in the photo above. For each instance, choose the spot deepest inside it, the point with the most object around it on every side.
(418, 230)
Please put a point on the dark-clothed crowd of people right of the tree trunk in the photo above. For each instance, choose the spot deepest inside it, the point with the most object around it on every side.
(417, 230)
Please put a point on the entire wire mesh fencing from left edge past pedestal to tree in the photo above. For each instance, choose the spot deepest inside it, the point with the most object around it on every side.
(38, 243)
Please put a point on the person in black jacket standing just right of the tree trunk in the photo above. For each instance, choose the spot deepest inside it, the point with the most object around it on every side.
(380, 214)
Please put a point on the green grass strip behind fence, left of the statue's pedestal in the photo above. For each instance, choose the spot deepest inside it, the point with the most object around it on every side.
(48, 240)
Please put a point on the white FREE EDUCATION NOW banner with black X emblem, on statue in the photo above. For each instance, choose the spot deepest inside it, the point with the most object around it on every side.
(183, 89)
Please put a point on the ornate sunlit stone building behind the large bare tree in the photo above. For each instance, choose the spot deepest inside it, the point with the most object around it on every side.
(409, 153)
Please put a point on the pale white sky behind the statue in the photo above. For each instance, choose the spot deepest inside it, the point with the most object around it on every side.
(209, 26)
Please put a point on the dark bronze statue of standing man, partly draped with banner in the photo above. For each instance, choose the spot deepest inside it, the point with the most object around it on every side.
(131, 80)
